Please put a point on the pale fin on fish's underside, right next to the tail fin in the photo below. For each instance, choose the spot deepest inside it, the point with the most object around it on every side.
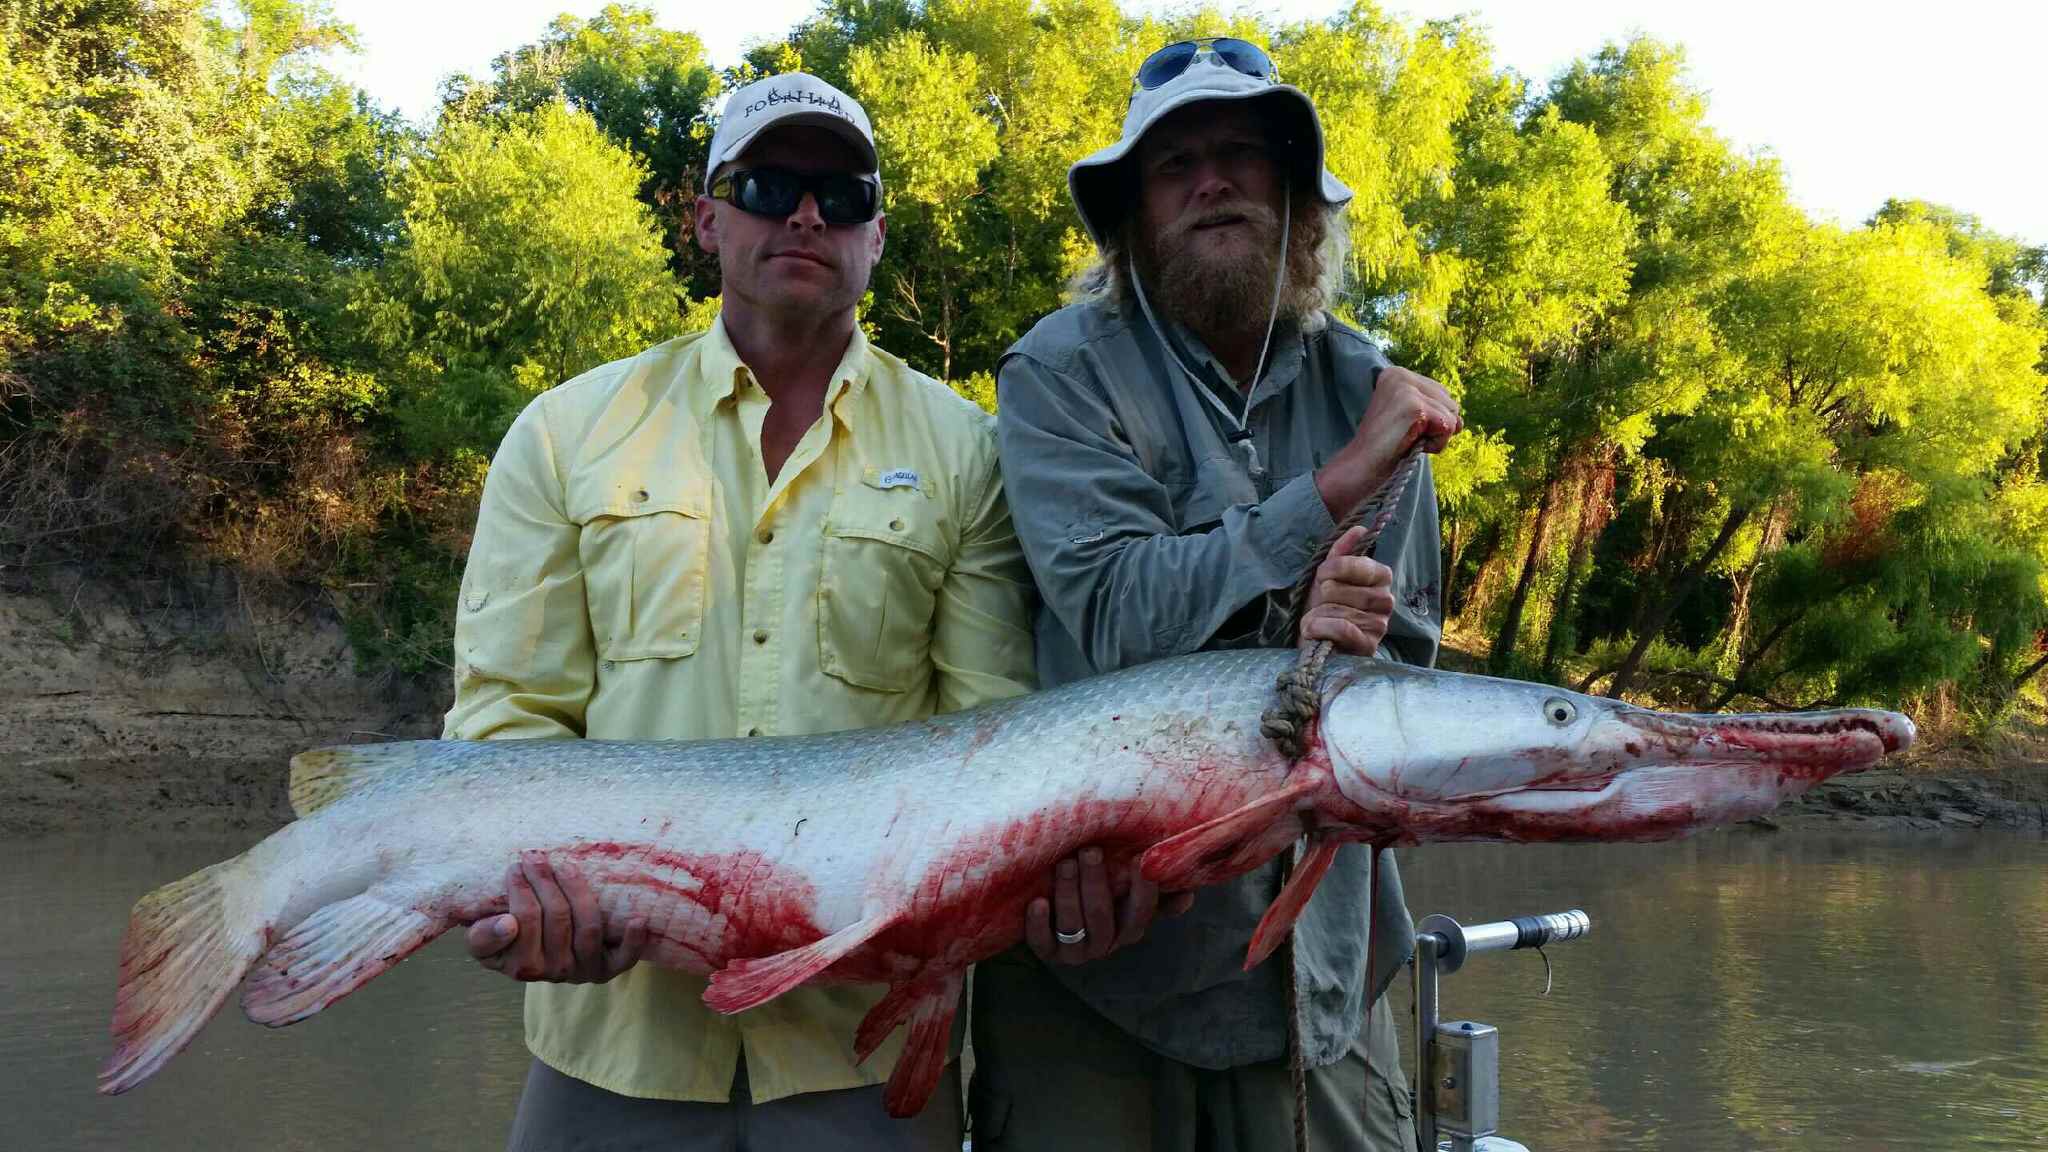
(331, 954)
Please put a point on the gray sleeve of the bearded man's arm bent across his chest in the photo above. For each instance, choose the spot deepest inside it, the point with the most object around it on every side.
(1101, 540)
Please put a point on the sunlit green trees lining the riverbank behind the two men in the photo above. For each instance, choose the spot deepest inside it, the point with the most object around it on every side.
(1717, 454)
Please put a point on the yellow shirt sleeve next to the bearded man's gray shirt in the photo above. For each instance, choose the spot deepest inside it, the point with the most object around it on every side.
(982, 643)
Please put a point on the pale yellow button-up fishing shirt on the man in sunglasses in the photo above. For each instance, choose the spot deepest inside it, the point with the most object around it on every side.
(638, 577)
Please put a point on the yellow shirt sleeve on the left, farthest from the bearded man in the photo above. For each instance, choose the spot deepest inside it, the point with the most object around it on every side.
(525, 661)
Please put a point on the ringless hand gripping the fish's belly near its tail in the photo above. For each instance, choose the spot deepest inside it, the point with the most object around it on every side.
(554, 930)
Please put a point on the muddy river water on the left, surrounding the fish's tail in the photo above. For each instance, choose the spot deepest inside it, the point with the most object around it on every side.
(425, 1057)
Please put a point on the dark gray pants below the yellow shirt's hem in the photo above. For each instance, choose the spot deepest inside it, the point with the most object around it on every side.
(562, 1114)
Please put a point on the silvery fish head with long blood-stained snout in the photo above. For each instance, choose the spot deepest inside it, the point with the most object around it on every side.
(1424, 755)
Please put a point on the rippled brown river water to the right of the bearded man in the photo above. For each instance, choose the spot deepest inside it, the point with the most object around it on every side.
(1754, 993)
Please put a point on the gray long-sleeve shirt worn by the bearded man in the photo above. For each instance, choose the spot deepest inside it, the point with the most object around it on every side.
(1152, 532)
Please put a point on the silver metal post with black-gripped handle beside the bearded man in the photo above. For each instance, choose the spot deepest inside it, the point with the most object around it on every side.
(1459, 1063)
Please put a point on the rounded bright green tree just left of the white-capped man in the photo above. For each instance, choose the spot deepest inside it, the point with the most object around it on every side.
(527, 261)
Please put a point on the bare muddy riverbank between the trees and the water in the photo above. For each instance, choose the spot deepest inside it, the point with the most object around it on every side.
(177, 710)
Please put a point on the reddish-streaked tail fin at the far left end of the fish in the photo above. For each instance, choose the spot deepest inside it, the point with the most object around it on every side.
(179, 962)
